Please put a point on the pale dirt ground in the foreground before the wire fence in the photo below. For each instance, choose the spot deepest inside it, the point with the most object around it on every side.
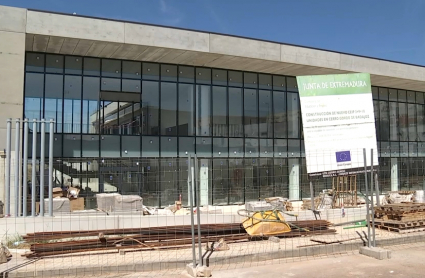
(406, 261)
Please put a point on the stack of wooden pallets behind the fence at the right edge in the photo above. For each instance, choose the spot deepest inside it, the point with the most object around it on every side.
(401, 218)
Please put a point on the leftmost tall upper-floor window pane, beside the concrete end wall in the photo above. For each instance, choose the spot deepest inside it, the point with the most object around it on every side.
(34, 88)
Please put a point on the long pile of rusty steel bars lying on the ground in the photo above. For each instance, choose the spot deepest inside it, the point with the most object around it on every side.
(46, 244)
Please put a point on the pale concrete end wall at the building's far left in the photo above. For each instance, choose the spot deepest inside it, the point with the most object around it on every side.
(12, 57)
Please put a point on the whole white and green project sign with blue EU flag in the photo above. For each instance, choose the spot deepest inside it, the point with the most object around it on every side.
(338, 123)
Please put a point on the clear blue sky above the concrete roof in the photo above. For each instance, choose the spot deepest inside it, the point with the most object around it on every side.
(387, 29)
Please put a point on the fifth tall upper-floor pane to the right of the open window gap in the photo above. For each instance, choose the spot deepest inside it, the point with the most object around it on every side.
(219, 96)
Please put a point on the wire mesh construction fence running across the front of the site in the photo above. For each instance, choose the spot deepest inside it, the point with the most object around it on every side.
(124, 215)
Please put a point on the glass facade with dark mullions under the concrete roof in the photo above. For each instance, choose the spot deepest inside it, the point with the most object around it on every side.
(126, 126)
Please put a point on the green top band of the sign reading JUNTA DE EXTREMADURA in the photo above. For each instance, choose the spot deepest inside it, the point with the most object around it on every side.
(336, 84)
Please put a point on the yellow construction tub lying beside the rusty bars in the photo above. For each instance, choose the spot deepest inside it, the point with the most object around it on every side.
(265, 223)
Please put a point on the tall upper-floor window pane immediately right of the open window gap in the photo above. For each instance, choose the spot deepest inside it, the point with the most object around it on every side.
(150, 108)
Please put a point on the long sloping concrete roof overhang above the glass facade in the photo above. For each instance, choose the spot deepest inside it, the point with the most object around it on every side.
(85, 36)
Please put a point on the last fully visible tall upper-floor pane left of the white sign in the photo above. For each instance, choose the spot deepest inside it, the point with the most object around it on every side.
(279, 118)
